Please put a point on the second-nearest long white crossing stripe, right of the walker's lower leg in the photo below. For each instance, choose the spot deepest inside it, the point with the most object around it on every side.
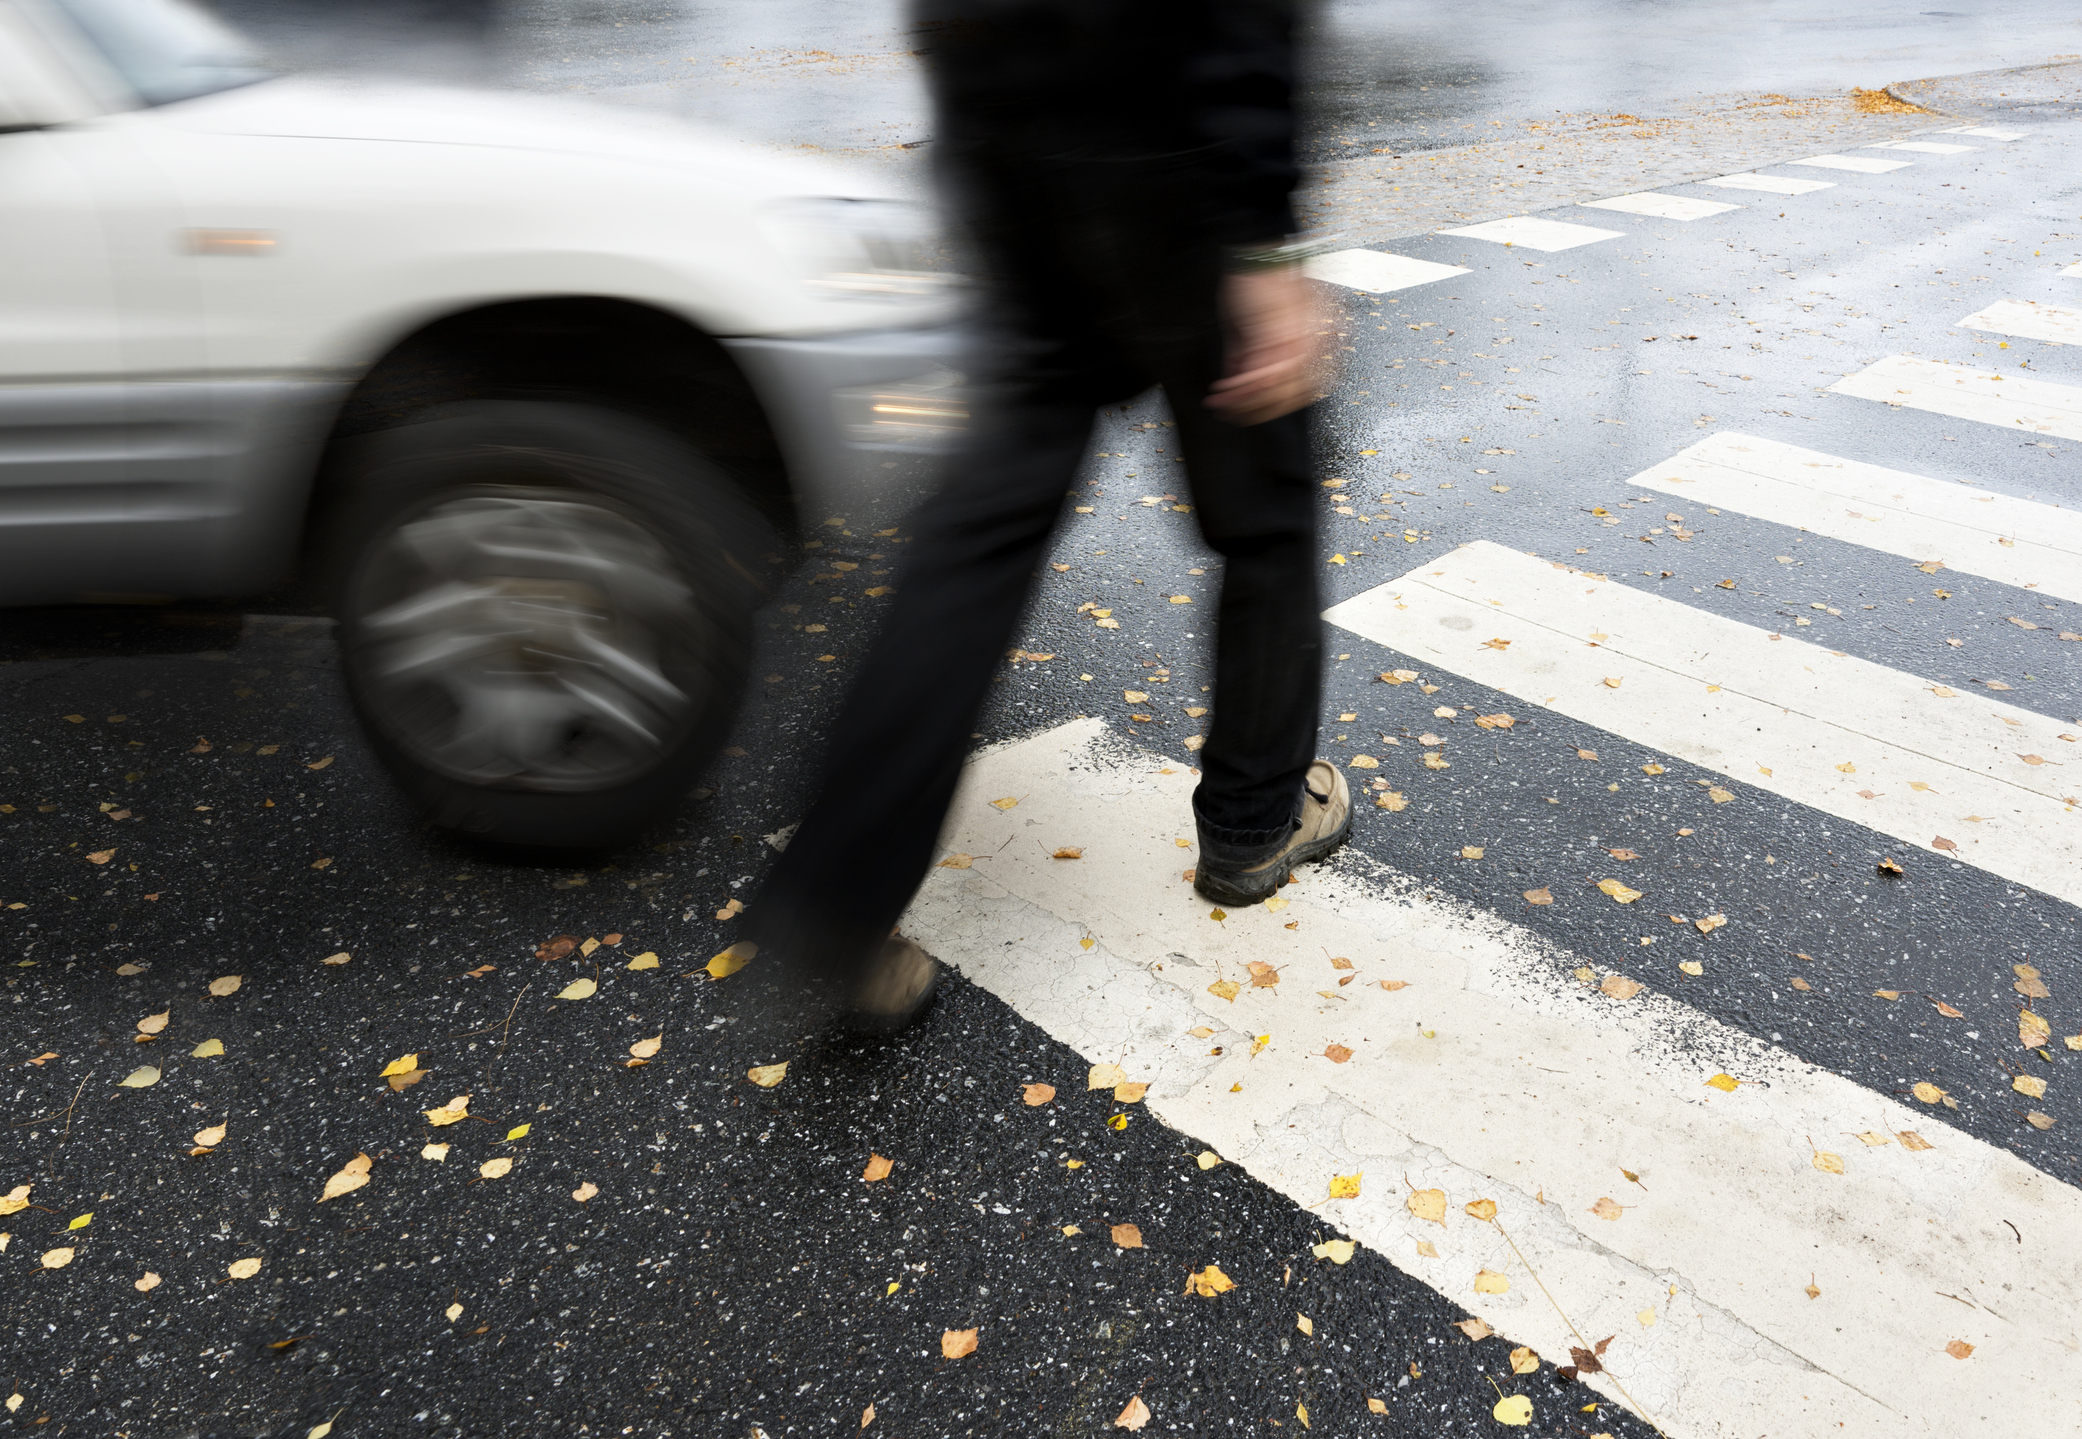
(1837, 734)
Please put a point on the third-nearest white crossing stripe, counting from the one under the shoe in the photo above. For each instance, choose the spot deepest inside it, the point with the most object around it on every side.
(1973, 532)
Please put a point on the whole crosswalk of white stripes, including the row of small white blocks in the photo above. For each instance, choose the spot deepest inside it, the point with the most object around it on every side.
(1359, 1028)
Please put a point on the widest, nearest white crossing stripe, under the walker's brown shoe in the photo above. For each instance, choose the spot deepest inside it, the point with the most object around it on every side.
(1496, 1076)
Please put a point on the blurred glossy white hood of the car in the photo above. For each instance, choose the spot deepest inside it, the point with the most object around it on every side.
(318, 109)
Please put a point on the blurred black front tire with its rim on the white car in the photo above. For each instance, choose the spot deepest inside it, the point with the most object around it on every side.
(544, 615)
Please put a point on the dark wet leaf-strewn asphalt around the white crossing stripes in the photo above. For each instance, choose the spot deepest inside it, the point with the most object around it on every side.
(730, 1269)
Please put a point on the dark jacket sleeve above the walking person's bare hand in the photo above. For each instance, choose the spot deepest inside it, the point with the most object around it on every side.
(1240, 86)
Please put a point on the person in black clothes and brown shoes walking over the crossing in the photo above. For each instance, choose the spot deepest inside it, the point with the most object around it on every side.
(1123, 172)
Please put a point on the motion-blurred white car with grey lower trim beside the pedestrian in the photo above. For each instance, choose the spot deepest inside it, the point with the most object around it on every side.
(528, 388)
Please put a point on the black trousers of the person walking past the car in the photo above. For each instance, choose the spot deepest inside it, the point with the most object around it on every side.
(1088, 311)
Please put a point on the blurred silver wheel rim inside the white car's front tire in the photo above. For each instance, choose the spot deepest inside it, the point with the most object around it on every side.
(528, 640)
